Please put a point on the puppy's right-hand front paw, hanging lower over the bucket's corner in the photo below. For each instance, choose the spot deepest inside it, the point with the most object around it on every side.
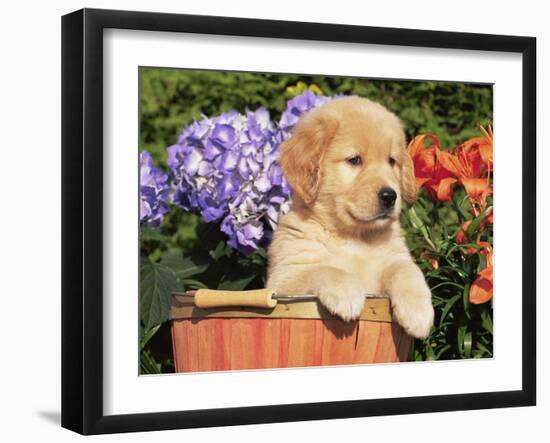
(414, 313)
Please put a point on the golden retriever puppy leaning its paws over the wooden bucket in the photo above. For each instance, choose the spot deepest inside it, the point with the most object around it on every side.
(349, 170)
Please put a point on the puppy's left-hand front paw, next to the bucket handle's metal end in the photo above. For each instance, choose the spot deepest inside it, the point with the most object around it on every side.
(346, 301)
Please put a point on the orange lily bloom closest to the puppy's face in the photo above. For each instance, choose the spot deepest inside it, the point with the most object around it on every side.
(430, 172)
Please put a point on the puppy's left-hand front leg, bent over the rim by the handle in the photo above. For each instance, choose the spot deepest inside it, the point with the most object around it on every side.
(340, 292)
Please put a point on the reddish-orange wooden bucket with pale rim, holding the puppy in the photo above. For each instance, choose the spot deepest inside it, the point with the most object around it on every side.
(292, 334)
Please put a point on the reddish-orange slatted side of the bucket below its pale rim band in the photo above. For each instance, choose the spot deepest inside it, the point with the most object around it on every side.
(214, 344)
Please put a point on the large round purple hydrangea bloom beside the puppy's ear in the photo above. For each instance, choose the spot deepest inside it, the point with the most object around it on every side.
(226, 169)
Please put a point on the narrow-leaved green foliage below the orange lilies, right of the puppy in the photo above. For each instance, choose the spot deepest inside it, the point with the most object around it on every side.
(461, 329)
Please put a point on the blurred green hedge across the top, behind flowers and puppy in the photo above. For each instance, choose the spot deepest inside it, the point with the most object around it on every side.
(172, 98)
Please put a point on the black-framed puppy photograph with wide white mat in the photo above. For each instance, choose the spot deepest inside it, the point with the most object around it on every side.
(270, 221)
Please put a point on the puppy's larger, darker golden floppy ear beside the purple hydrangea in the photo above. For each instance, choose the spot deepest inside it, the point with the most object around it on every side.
(302, 154)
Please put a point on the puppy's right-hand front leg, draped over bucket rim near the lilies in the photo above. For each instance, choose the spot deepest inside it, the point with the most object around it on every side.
(410, 297)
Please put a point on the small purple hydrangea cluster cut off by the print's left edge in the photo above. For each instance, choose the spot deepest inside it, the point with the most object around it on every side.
(154, 190)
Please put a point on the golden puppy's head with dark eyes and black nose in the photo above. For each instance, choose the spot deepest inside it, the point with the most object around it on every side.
(347, 162)
